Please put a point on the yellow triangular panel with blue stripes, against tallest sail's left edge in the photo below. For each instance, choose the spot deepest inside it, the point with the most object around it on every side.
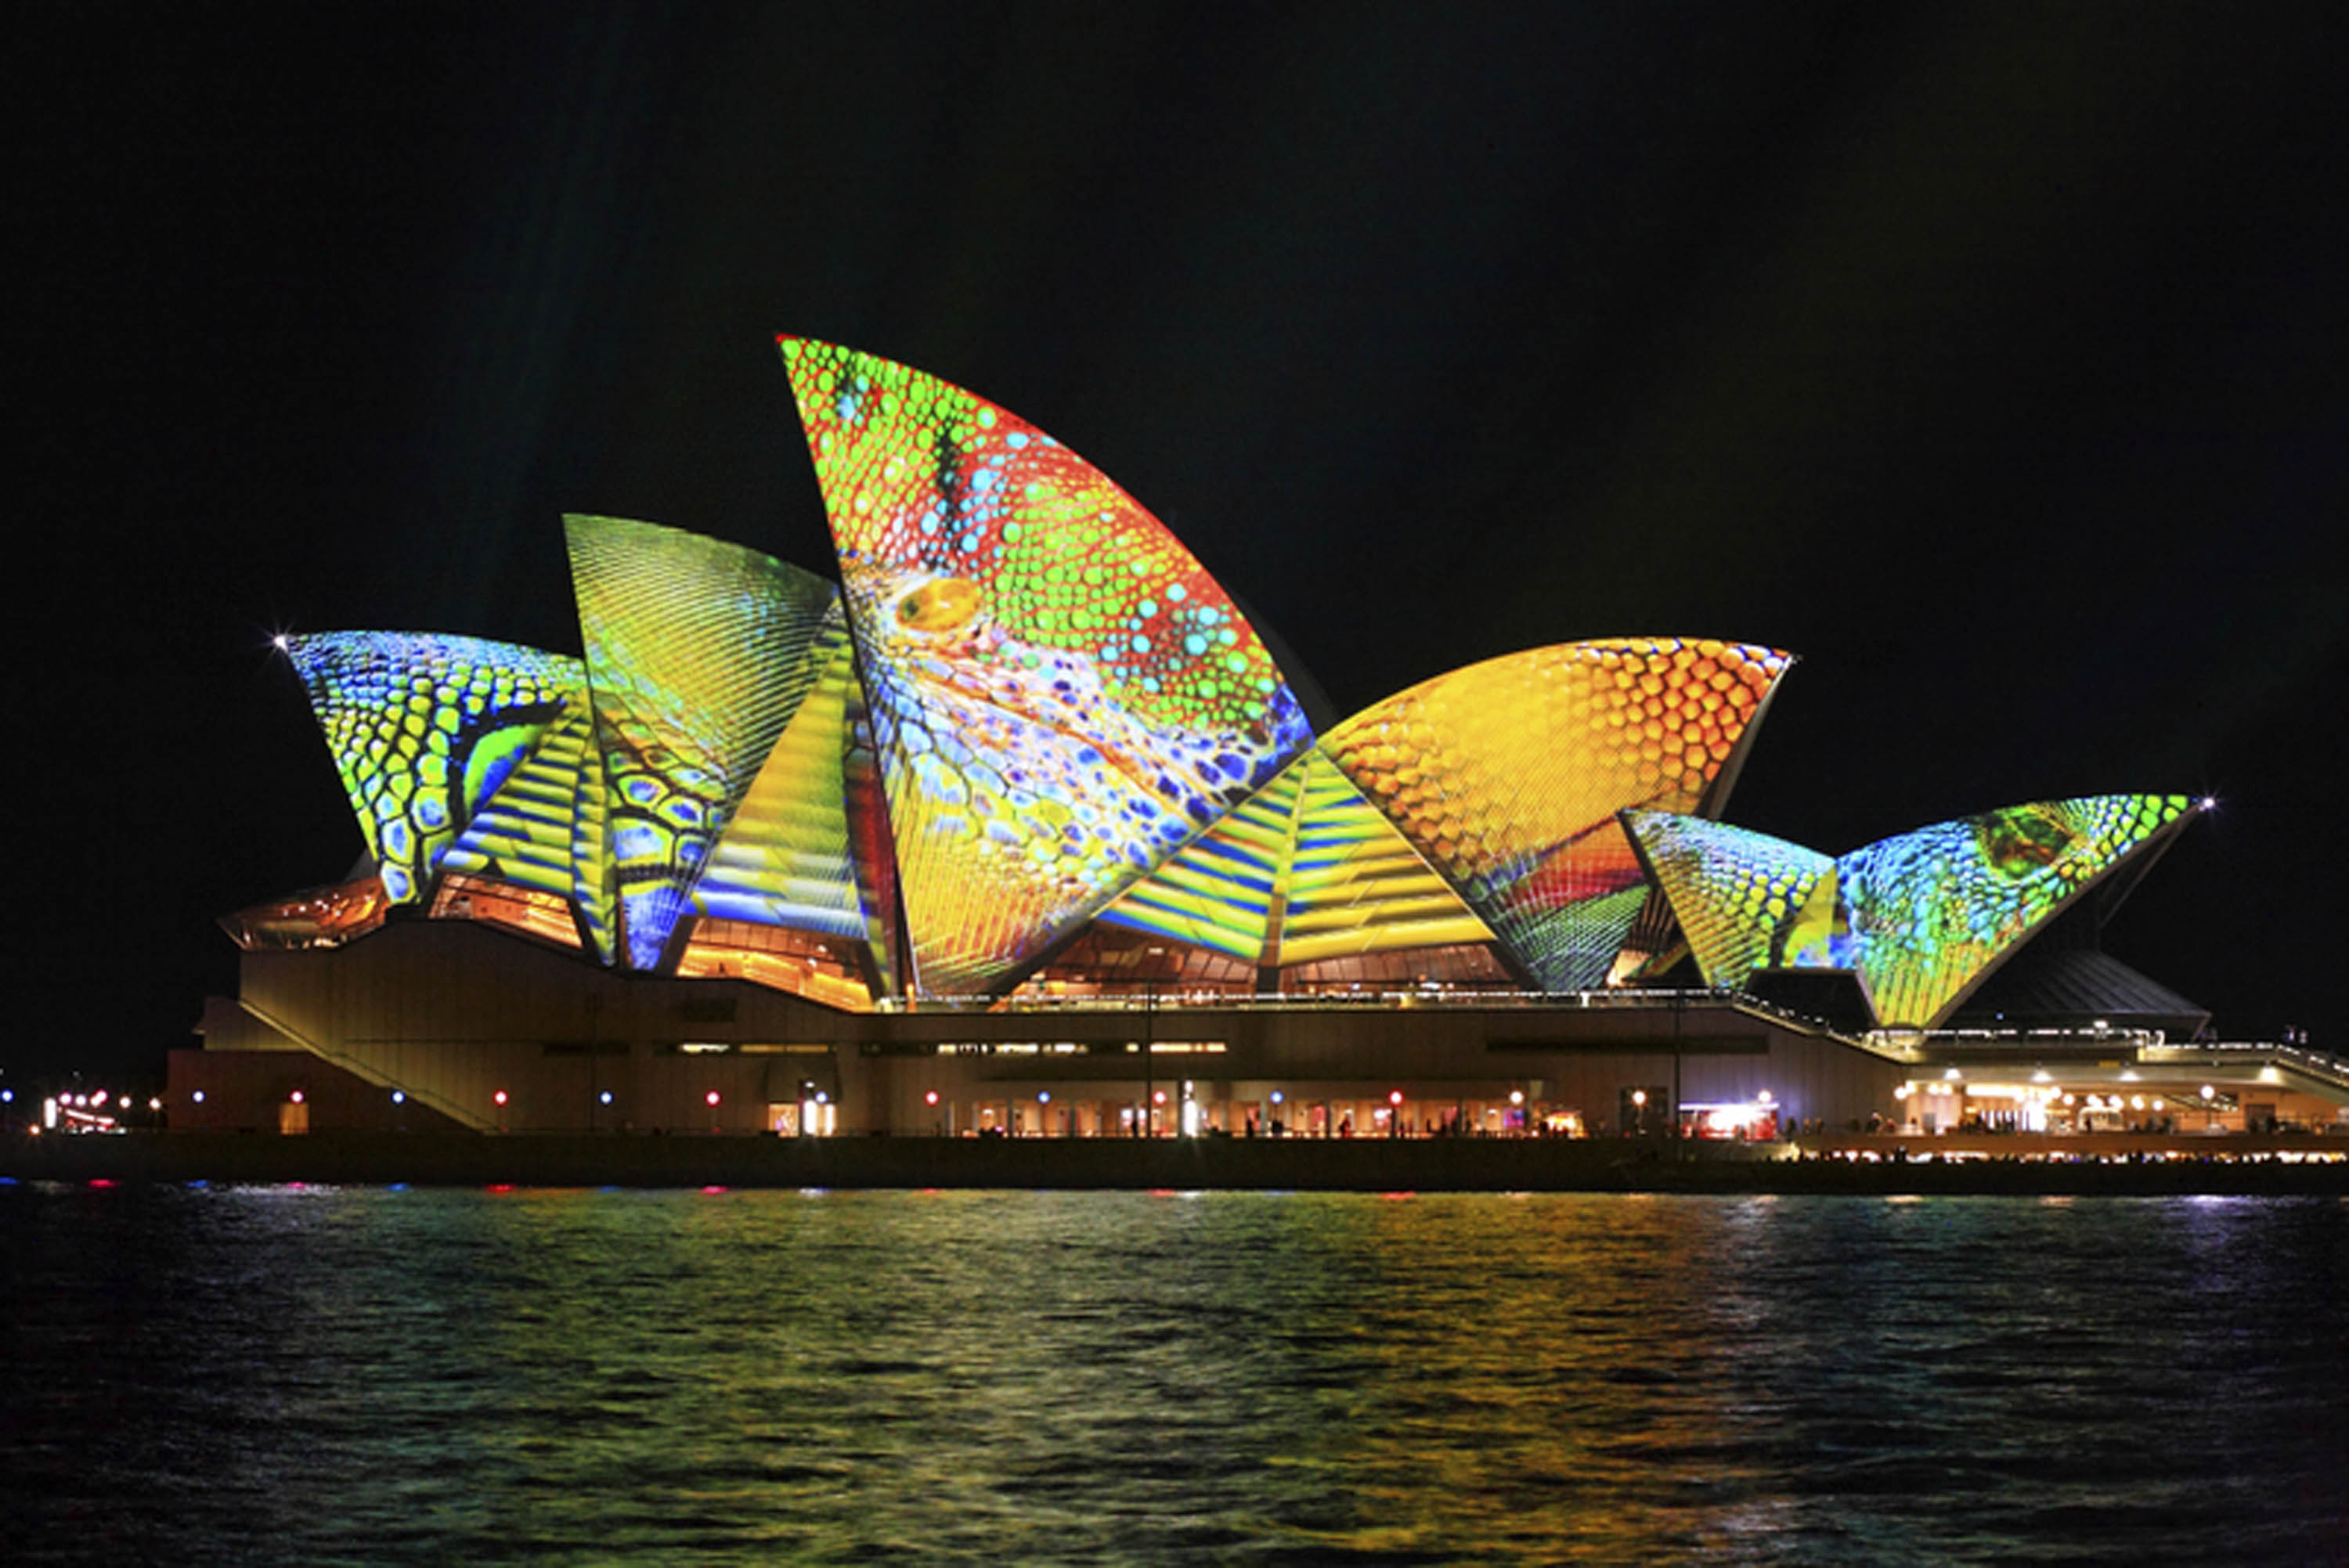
(786, 858)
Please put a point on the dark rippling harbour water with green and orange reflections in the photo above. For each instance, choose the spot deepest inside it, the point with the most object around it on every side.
(311, 1377)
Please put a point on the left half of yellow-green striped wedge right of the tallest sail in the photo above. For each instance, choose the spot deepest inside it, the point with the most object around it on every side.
(1223, 888)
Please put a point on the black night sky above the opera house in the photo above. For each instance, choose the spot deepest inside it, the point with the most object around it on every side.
(1988, 358)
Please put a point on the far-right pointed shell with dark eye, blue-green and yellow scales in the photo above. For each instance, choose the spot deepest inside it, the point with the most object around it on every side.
(1930, 914)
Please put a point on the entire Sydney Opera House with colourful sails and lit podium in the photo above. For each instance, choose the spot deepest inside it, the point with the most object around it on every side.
(1021, 827)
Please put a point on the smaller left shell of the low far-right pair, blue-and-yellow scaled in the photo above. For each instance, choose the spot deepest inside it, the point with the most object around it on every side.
(1744, 900)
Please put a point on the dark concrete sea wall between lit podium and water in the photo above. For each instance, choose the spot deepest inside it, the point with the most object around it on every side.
(1361, 1165)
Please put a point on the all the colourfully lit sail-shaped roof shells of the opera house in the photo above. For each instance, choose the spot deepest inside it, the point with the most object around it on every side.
(1028, 708)
